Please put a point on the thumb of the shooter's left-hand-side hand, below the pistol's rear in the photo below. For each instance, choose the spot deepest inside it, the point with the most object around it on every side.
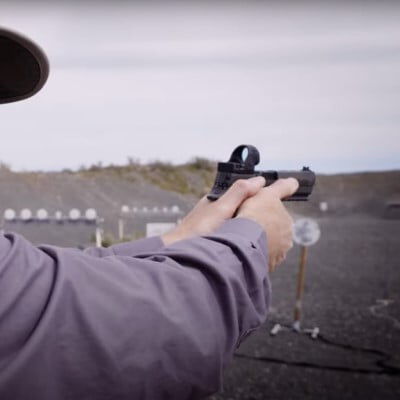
(240, 191)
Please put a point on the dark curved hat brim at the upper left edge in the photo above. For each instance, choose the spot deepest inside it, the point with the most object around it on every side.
(24, 67)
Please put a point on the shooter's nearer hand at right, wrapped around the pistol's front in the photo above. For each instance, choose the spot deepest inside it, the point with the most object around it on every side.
(267, 209)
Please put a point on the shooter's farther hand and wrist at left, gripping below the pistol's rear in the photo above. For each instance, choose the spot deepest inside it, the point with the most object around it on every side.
(208, 215)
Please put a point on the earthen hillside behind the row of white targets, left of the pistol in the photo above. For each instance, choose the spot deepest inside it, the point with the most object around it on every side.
(106, 189)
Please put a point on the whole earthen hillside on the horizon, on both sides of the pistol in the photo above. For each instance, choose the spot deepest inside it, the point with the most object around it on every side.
(164, 185)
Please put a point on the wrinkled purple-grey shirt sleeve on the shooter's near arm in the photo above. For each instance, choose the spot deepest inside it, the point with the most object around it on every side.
(147, 322)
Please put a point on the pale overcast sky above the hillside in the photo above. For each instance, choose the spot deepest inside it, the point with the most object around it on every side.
(308, 84)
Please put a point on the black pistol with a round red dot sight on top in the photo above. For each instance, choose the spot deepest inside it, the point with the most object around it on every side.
(243, 168)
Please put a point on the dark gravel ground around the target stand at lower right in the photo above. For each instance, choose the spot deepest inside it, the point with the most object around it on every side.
(350, 270)
